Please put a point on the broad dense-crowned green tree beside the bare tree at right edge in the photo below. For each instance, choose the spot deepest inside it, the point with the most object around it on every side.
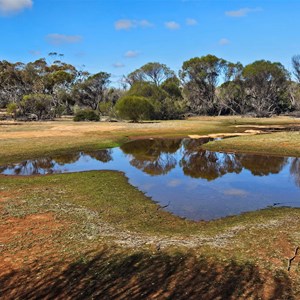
(266, 86)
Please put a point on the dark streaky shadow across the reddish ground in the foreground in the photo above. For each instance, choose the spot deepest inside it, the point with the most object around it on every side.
(142, 275)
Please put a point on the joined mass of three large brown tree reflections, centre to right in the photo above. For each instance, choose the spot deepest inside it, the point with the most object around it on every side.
(157, 157)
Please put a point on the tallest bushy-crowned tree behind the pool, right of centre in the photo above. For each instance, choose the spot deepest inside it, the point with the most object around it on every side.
(200, 76)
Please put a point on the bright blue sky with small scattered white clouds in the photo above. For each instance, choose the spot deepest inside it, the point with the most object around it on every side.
(119, 36)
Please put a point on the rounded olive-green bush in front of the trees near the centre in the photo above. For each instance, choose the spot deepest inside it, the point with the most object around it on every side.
(134, 108)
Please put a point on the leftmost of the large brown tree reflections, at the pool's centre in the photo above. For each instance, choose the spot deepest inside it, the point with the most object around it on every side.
(154, 157)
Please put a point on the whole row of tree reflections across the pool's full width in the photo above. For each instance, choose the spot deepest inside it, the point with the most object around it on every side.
(160, 156)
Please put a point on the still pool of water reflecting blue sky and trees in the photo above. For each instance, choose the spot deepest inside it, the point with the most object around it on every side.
(190, 182)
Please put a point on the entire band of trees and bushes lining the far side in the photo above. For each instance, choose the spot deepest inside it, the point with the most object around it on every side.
(205, 85)
